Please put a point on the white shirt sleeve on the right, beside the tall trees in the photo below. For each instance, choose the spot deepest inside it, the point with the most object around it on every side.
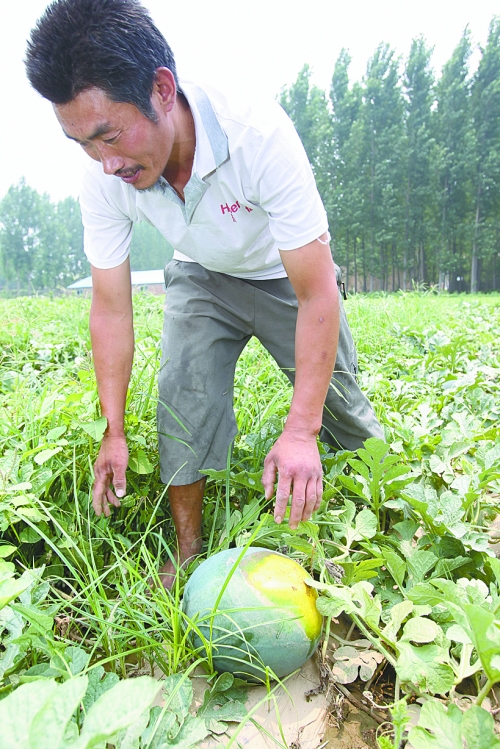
(284, 186)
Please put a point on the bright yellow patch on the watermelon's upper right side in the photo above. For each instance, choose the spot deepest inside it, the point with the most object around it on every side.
(281, 580)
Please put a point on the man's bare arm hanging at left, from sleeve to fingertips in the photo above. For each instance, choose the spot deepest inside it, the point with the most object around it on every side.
(112, 335)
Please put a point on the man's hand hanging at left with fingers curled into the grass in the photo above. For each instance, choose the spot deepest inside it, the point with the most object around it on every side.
(109, 469)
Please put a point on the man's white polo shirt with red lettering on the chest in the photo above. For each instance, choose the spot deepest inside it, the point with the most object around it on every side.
(251, 193)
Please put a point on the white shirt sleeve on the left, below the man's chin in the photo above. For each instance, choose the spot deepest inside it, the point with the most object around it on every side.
(106, 223)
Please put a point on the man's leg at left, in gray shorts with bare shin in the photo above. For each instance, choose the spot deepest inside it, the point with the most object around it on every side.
(208, 320)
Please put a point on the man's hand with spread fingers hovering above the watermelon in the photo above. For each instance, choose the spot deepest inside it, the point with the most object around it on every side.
(295, 457)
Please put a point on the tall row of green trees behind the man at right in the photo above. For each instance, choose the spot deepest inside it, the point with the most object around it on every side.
(409, 166)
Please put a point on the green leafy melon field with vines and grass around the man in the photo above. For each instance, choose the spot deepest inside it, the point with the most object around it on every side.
(401, 552)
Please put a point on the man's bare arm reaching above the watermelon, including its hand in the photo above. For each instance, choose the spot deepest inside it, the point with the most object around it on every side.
(295, 455)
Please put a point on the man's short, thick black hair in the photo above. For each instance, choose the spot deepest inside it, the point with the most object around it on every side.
(108, 44)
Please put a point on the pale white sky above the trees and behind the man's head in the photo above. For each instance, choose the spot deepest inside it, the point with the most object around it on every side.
(255, 47)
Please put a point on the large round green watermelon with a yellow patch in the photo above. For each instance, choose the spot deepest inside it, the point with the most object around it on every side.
(266, 616)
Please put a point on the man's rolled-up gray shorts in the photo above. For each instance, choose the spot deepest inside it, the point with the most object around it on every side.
(209, 318)
